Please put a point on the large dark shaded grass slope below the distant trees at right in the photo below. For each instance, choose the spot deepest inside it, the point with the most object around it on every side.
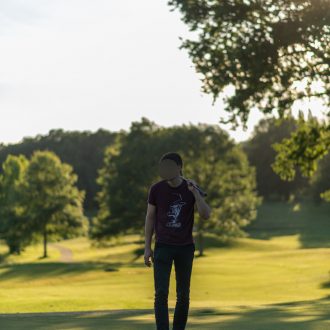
(311, 222)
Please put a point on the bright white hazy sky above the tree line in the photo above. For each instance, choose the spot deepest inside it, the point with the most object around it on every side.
(85, 65)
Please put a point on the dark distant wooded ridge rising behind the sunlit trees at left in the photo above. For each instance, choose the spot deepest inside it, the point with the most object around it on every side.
(83, 150)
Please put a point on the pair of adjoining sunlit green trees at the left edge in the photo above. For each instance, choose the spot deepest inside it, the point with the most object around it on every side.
(38, 197)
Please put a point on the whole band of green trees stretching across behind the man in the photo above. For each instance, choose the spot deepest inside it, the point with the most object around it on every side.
(44, 180)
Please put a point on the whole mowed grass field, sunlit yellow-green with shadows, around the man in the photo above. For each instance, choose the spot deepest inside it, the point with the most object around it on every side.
(277, 278)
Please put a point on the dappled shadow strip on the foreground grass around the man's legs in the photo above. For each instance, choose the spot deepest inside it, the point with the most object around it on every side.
(295, 315)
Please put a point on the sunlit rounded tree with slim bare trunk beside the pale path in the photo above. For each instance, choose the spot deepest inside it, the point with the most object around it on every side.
(54, 203)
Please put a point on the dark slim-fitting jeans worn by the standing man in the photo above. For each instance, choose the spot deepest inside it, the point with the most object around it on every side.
(183, 256)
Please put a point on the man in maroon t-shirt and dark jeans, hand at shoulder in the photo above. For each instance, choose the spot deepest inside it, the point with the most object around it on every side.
(170, 213)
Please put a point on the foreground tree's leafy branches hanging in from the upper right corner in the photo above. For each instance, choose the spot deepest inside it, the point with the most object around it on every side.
(274, 54)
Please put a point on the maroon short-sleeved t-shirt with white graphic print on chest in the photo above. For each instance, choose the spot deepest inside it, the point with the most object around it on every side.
(174, 212)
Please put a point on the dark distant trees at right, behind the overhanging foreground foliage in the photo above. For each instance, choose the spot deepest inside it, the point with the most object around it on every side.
(268, 135)
